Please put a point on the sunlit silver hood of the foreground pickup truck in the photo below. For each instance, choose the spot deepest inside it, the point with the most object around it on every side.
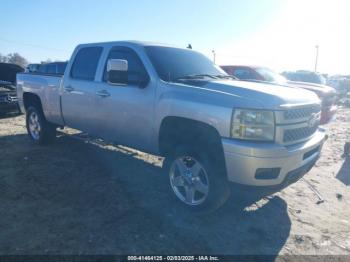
(266, 95)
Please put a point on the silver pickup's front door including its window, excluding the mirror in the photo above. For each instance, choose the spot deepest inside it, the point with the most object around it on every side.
(125, 112)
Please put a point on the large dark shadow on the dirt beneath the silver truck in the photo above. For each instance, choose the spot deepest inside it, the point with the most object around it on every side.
(80, 198)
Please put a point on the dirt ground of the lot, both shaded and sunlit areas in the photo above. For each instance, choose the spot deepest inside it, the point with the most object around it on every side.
(83, 197)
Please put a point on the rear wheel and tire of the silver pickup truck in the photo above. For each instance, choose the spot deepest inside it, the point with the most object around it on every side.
(39, 130)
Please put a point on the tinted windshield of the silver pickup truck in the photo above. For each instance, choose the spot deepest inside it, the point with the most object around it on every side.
(172, 64)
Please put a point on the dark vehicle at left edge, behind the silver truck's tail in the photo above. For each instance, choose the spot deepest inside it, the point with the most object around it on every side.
(8, 96)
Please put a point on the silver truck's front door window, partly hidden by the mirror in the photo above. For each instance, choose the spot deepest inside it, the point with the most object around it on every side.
(135, 66)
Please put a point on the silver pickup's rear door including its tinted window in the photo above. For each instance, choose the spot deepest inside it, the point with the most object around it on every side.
(79, 88)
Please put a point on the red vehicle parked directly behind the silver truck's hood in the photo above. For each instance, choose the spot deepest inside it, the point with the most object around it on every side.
(327, 94)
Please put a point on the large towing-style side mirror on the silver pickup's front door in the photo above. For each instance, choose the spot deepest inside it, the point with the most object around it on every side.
(117, 71)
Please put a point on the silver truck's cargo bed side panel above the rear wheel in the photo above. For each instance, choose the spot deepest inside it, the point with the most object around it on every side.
(47, 88)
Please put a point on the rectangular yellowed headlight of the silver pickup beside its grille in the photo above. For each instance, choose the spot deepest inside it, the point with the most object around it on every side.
(253, 125)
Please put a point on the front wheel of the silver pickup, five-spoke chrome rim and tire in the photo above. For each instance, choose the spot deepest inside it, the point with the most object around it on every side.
(210, 184)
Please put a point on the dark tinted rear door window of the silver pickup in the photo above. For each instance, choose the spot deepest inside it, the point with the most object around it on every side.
(85, 63)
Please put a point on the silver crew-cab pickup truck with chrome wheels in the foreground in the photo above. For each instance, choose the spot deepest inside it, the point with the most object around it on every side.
(213, 130)
